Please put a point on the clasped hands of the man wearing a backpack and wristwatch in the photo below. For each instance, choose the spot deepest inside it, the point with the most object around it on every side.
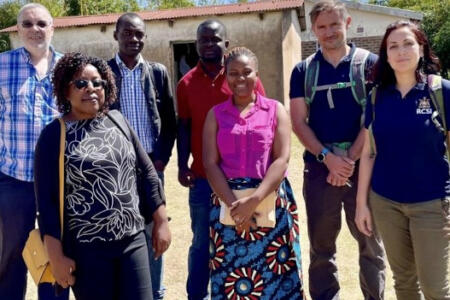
(340, 168)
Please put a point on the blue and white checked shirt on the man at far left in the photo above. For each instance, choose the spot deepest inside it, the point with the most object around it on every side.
(26, 107)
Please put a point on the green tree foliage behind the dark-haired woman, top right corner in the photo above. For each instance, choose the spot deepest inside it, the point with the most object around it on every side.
(436, 24)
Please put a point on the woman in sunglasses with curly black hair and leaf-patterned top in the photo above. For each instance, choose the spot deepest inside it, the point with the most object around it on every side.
(103, 253)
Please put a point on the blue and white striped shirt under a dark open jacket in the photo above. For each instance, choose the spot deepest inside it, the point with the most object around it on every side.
(133, 104)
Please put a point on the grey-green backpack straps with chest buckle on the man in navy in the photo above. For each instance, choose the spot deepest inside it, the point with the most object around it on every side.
(357, 80)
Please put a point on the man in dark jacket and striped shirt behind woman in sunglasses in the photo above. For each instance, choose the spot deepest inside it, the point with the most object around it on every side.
(145, 99)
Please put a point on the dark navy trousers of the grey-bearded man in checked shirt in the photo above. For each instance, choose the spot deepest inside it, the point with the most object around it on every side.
(17, 218)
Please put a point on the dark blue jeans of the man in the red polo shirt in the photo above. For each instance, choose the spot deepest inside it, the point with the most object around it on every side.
(198, 260)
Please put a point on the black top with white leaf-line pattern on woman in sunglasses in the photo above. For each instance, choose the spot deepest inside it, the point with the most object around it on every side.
(101, 196)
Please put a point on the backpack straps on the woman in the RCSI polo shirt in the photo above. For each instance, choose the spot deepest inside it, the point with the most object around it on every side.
(437, 97)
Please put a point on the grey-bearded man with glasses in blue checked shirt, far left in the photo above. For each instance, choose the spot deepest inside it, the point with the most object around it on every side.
(26, 107)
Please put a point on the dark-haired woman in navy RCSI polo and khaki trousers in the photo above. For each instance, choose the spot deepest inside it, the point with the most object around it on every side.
(405, 187)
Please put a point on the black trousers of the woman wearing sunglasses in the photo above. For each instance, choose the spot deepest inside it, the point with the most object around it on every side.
(116, 270)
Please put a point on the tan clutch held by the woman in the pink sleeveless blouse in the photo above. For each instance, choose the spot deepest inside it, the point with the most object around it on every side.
(265, 210)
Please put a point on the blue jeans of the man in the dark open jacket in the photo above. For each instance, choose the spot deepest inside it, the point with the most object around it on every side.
(156, 266)
